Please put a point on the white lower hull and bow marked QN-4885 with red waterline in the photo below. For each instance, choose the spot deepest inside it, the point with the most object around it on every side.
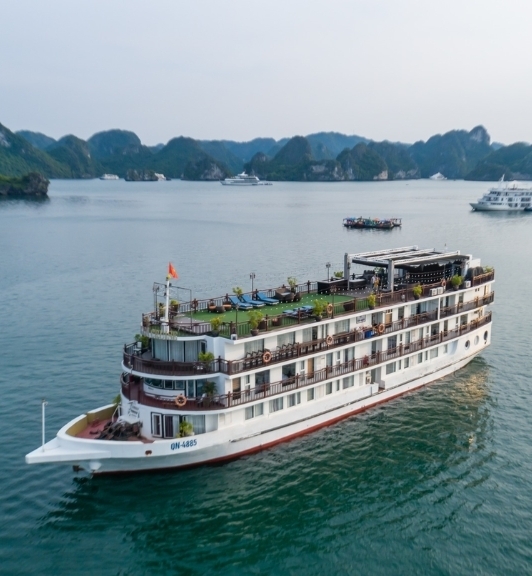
(73, 446)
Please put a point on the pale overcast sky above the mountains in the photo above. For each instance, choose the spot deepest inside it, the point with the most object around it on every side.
(400, 70)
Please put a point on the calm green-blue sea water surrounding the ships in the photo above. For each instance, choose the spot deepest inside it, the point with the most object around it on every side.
(437, 482)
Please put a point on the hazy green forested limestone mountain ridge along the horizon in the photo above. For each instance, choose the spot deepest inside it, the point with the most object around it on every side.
(322, 156)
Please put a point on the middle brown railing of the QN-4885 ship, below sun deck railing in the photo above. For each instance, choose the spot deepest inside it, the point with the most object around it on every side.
(288, 351)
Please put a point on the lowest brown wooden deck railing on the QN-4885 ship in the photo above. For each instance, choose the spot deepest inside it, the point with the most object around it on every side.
(133, 389)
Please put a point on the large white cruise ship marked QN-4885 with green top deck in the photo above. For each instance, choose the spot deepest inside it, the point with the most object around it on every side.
(206, 381)
